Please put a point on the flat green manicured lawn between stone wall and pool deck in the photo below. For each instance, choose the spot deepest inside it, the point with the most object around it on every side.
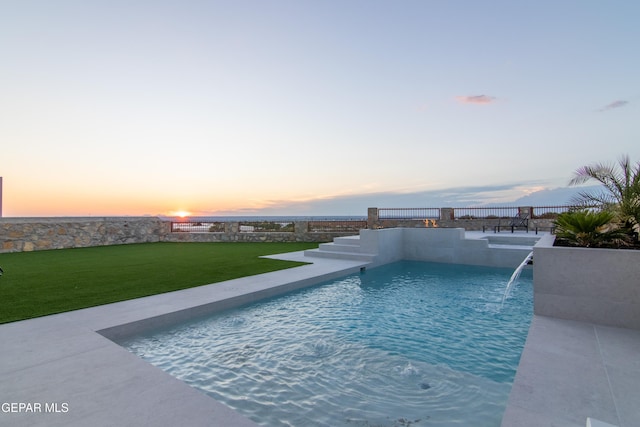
(39, 283)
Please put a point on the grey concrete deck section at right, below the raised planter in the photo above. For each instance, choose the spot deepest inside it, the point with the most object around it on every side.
(570, 371)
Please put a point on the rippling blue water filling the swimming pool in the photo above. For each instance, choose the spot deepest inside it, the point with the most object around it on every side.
(406, 344)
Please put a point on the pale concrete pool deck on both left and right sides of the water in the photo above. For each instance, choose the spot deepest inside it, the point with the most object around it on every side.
(58, 370)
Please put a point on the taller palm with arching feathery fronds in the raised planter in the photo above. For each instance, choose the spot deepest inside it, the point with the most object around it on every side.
(622, 185)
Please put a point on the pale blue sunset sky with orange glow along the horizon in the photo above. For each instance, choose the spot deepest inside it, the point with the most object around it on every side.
(297, 107)
